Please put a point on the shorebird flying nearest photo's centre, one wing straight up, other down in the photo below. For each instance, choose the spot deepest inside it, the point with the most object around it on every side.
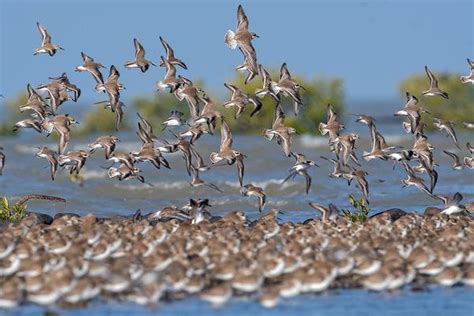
(227, 154)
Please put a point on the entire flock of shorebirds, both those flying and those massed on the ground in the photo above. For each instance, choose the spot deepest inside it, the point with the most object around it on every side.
(176, 252)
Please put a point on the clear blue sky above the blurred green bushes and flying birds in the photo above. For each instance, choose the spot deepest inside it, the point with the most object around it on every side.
(372, 45)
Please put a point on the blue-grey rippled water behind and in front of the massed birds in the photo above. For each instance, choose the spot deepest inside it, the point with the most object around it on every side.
(265, 166)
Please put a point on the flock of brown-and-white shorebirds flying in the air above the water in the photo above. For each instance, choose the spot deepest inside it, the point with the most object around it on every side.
(205, 116)
